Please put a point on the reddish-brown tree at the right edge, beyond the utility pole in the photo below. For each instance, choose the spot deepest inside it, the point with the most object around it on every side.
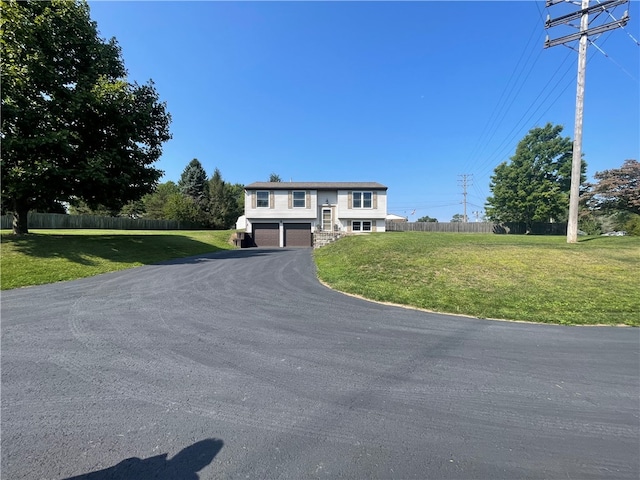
(617, 189)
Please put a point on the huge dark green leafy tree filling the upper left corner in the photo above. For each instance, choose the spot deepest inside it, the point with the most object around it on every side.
(72, 126)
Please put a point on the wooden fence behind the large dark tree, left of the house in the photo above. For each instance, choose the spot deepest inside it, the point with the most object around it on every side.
(62, 221)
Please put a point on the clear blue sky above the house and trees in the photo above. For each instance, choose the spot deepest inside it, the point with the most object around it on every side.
(409, 94)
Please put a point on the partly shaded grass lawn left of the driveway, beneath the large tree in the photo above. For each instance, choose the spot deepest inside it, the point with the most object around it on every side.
(47, 256)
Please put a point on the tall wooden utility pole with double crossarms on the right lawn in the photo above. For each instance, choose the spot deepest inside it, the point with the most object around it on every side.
(582, 35)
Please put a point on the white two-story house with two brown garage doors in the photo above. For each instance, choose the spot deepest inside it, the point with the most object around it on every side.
(288, 214)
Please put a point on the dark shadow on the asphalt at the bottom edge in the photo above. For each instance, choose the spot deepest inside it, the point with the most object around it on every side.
(183, 466)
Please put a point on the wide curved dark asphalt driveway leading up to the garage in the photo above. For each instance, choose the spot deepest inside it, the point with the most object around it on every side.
(241, 365)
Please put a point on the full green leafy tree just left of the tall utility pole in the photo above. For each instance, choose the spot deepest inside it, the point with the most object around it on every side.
(534, 186)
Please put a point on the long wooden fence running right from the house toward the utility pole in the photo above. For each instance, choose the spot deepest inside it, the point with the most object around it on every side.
(478, 227)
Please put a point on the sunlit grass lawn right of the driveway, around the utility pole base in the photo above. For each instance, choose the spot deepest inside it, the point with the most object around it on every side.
(529, 278)
